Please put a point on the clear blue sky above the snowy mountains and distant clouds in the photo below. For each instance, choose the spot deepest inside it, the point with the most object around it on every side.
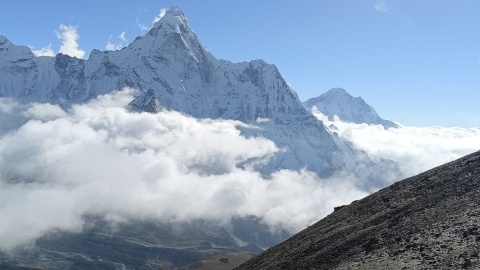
(416, 62)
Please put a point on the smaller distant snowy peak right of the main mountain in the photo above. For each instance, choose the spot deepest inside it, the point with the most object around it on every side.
(350, 109)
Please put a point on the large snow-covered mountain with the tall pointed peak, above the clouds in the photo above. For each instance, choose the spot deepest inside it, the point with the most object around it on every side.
(170, 65)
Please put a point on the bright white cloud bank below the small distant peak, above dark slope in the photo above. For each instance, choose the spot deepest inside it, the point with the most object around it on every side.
(415, 149)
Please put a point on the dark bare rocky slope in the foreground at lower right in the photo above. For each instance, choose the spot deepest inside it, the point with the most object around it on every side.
(430, 221)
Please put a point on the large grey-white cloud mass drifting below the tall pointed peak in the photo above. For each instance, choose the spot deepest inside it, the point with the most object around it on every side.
(57, 166)
